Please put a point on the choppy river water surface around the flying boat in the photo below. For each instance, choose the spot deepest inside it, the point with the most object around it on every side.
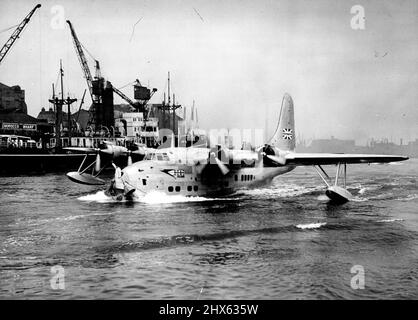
(281, 242)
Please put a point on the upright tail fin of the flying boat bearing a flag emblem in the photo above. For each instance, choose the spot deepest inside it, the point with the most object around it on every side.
(284, 137)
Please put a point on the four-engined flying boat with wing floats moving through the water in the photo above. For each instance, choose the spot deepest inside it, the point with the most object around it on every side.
(219, 171)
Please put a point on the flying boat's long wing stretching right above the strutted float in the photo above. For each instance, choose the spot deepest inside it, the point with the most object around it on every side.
(305, 159)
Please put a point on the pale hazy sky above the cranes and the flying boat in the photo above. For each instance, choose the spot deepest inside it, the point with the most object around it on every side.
(238, 61)
